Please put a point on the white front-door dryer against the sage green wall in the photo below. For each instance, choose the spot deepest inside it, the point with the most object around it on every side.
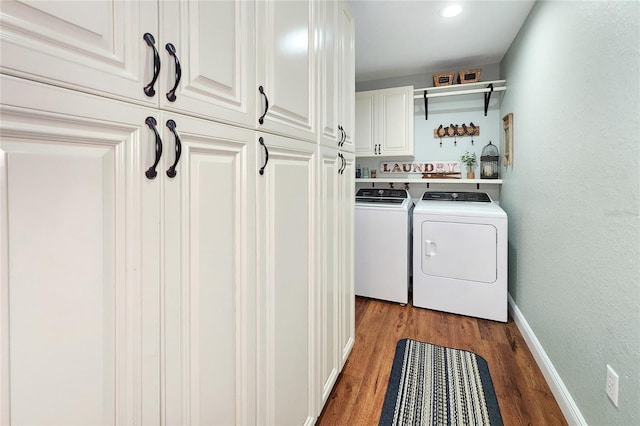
(460, 254)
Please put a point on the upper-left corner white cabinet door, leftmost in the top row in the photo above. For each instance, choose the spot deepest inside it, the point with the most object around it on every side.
(95, 46)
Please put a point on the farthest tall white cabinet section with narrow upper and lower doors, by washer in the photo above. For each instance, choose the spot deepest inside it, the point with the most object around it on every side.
(336, 191)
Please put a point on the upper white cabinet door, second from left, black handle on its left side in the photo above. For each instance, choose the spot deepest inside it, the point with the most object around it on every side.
(214, 46)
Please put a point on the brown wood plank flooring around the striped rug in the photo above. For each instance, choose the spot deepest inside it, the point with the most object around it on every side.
(523, 394)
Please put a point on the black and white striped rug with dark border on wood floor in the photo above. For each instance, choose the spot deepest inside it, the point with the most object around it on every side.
(435, 385)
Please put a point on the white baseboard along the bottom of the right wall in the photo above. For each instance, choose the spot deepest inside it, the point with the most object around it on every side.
(568, 406)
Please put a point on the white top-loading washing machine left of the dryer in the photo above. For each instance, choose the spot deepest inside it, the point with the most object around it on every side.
(383, 244)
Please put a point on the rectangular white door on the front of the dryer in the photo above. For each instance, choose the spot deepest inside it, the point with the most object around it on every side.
(463, 251)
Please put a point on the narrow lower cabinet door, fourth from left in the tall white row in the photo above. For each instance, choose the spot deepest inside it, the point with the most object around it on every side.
(329, 273)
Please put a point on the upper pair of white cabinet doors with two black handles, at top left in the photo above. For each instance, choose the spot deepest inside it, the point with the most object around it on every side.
(198, 60)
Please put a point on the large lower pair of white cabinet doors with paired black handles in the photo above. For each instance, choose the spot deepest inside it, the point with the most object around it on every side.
(138, 290)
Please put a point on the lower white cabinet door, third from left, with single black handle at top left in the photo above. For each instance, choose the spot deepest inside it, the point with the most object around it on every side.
(286, 215)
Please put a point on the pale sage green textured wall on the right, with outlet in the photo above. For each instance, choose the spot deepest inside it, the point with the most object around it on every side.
(572, 195)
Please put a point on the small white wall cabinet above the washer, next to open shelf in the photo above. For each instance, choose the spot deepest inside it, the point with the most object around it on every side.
(384, 122)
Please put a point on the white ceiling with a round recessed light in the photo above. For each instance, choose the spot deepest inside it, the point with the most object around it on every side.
(398, 37)
